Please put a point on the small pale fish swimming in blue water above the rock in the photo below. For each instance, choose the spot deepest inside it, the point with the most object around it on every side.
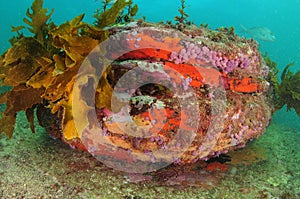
(260, 33)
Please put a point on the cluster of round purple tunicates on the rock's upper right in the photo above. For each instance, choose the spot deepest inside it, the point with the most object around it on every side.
(204, 54)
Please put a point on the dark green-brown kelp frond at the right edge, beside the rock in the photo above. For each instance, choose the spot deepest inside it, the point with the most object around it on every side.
(289, 90)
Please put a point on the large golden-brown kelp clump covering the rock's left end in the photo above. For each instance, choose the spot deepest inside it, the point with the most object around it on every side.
(43, 66)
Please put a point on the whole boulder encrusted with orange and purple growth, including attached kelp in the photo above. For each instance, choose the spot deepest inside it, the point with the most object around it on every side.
(138, 95)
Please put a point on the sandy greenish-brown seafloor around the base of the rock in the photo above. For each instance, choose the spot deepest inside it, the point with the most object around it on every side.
(36, 166)
